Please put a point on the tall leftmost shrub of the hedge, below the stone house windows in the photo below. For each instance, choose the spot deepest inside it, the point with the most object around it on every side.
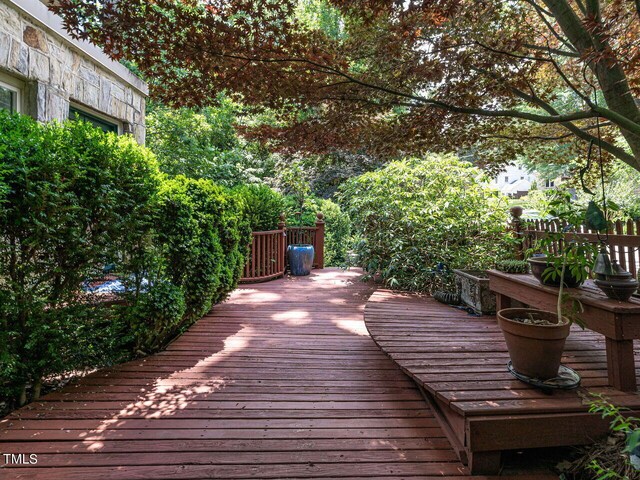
(71, 193)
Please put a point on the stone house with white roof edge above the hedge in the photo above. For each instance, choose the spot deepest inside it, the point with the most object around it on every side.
(48, 75)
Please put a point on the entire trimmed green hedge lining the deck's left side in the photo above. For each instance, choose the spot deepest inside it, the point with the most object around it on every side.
(74, 199)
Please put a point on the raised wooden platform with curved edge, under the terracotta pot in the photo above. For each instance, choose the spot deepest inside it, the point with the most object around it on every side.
(460, 362)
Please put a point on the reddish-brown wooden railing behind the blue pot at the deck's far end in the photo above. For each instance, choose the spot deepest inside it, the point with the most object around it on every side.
(268, 250)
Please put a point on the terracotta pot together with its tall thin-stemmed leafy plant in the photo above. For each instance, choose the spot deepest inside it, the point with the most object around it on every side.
(536, 338)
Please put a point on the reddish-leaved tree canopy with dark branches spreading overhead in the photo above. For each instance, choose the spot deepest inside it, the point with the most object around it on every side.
(393, 77)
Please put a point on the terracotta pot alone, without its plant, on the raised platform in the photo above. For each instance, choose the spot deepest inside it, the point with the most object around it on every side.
(535, 350)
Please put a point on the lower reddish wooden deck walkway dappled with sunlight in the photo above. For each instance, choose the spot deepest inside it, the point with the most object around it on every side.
(280, 381)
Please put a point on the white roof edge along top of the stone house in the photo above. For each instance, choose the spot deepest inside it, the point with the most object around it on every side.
(37, 11)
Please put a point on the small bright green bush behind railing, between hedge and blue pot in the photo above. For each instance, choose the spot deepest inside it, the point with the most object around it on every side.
(262, 206)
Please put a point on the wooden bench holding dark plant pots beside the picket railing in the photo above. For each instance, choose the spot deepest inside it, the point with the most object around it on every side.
(618, 321)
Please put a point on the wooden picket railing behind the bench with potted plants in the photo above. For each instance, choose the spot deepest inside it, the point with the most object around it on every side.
(623, 238)
